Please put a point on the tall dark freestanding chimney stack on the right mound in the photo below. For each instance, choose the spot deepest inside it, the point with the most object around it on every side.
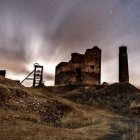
(123, 65)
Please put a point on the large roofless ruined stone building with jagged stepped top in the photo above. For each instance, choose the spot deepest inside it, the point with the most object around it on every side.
(82, 69)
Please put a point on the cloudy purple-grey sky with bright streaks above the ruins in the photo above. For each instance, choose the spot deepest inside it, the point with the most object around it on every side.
(48, 31)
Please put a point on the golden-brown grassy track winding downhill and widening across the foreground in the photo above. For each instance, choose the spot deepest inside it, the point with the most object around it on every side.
(82, 123)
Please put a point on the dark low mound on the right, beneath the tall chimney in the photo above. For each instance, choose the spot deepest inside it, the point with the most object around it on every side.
(116, 97)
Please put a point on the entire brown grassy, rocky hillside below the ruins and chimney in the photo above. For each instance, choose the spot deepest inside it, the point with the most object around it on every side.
(110, 112)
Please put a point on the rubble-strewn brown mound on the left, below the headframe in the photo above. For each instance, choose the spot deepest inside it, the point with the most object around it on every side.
(17, 102)
